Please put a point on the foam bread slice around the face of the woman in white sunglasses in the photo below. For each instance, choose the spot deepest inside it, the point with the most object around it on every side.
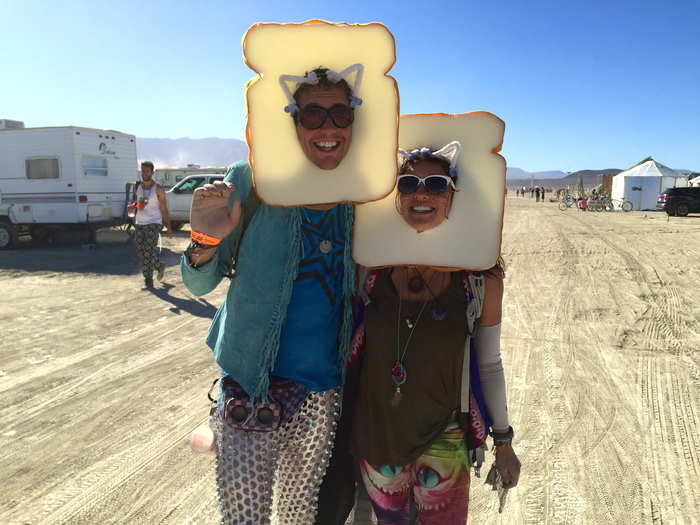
(470, 238)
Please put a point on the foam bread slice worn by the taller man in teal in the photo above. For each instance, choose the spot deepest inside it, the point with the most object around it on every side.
(283, 55)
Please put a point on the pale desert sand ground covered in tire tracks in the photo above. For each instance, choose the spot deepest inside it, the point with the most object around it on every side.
(101, 383)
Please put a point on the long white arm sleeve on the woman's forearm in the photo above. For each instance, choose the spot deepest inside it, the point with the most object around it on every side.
(493, 382)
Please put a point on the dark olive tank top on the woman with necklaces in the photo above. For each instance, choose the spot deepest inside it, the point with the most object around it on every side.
(396, 435)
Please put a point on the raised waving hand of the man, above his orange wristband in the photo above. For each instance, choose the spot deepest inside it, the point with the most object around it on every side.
(209, 213)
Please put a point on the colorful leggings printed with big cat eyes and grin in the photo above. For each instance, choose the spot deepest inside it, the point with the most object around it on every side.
(438, 483)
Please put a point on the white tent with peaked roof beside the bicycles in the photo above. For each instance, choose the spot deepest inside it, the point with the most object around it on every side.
(644, 182)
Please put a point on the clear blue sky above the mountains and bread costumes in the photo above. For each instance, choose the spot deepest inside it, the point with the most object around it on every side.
(579, 84)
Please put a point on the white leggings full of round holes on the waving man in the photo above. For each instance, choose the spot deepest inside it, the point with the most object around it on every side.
(274, 477)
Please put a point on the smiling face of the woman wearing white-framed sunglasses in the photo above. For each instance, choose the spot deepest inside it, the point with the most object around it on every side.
(422, 210)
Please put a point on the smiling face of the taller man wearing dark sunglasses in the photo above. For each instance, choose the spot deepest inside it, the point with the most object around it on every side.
(326, 146)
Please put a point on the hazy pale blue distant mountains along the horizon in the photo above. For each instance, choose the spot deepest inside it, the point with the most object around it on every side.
(177, 153)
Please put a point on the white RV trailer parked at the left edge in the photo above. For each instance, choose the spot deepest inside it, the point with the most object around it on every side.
(63, 177)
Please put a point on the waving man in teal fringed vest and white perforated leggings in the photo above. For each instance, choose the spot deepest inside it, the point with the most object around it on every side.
(281, 336)
